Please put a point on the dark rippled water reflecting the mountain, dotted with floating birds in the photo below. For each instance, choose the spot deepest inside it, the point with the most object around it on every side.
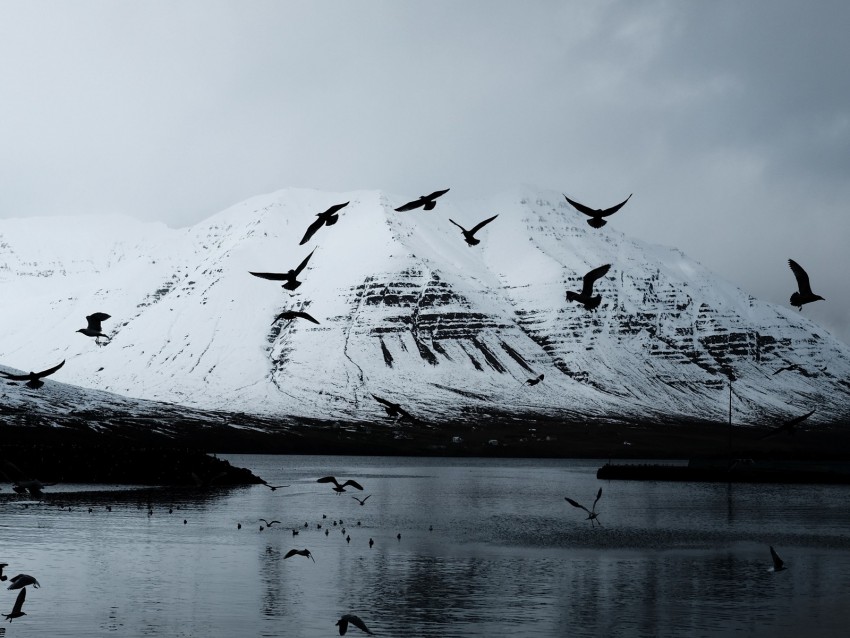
(507, 555)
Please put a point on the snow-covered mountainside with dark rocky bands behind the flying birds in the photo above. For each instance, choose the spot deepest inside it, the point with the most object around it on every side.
(408, 312)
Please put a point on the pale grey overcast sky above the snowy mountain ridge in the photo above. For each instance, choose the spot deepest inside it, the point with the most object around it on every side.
(728, 120)
